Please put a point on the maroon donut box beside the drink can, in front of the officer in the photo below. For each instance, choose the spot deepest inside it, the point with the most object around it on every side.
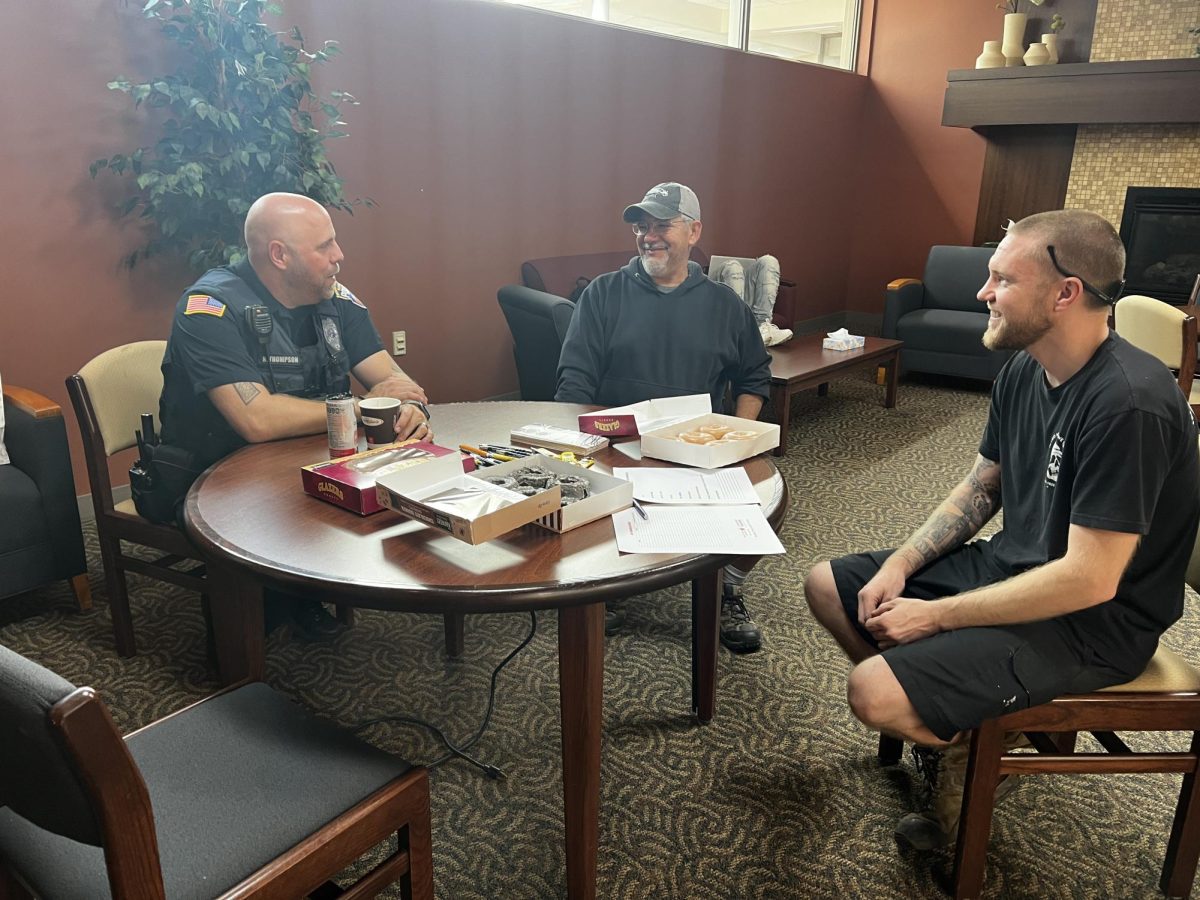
(349, 482)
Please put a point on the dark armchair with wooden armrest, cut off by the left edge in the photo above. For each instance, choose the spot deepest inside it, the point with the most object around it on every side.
(40, 536)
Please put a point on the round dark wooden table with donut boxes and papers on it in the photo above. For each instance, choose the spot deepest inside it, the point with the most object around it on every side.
(254, 524)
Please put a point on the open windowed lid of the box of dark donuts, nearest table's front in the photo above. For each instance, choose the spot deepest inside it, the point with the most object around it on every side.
(470, 507)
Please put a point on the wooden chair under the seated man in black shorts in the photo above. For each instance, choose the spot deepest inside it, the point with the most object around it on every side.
(1163, 699)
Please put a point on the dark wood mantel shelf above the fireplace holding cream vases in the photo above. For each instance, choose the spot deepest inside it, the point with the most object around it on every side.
(1075, 94)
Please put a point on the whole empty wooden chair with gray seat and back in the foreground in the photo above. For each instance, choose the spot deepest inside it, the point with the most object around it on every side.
(244, 795)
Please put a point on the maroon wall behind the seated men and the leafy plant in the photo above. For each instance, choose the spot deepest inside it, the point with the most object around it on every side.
(491, 135)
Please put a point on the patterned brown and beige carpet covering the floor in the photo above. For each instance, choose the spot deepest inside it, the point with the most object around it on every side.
(779, 797)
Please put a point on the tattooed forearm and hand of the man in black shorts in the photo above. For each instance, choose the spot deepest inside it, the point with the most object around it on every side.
(958, 519)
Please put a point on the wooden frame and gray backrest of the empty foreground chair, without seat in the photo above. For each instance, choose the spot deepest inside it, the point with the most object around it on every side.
(70, 772)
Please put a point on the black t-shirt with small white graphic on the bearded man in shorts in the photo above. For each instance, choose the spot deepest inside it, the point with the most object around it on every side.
(1114, 448)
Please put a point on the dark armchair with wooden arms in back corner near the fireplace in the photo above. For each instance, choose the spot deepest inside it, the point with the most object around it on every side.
(939, 317)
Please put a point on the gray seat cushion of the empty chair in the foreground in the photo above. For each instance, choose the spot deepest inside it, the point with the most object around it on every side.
(235, 783)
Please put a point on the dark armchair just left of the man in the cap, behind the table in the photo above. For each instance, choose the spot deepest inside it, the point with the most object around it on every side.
(538, 322)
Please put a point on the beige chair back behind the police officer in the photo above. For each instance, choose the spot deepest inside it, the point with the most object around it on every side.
(124, 383)
